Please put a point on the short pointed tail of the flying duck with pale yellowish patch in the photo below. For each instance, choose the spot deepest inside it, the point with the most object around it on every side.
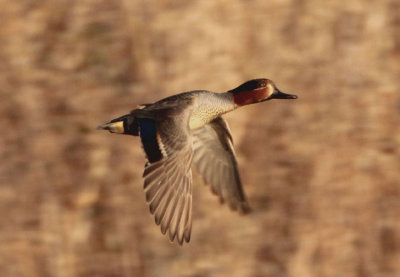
(126, 124)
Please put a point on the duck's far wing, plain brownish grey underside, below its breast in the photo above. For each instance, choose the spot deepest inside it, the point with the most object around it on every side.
(215, 160)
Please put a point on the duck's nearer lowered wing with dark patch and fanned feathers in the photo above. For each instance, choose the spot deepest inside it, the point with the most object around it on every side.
(167, 175)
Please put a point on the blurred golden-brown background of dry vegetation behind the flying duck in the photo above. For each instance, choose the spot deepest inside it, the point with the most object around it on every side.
(322, 173)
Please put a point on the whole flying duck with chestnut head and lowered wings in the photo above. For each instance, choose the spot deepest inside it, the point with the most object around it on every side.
(188, 129)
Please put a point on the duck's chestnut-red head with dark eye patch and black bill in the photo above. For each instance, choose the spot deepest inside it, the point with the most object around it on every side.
(258, 90)
